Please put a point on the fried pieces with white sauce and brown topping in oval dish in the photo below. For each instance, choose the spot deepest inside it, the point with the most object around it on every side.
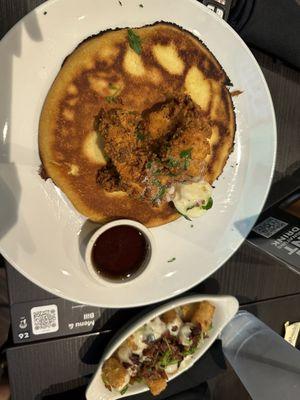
(159, 349)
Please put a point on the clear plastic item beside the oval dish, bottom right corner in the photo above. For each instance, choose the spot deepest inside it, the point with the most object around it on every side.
(267, 365)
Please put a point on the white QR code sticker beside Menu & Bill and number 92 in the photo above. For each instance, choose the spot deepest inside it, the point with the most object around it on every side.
(44, 319)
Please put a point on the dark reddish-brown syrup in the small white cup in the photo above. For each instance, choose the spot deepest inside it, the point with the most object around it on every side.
(120, 252)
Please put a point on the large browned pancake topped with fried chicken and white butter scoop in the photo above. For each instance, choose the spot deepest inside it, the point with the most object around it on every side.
(138, 124)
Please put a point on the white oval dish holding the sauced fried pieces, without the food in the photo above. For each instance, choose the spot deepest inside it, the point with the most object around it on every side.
(226, 308)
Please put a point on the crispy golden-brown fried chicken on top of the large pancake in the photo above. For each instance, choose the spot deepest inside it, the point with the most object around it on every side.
(151, 152)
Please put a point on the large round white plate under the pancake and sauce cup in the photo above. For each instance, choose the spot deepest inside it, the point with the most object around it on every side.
(40, 232)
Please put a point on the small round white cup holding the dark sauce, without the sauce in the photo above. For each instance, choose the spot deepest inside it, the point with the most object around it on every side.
(150, 257)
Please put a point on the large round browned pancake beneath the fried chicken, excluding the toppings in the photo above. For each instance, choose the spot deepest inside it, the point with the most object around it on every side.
(172, 61)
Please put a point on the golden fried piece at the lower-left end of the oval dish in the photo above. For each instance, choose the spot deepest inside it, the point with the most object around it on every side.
(114, 375)
